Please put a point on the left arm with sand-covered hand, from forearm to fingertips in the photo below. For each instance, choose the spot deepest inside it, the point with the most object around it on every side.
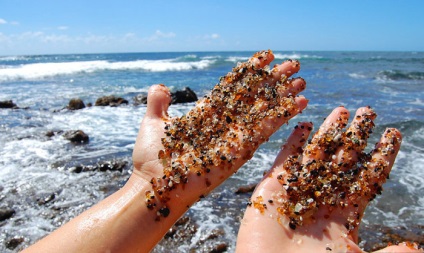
(177, 161)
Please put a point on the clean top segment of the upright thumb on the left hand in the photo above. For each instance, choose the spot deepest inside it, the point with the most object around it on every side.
(158, 100)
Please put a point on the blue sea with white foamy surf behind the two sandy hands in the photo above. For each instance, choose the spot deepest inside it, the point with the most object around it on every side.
(39, 185)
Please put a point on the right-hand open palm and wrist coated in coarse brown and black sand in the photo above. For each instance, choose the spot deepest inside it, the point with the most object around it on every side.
(313, 198)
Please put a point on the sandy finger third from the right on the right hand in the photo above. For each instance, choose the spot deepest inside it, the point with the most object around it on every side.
(326, 139)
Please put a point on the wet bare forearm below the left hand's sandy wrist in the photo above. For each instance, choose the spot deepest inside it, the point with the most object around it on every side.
(120, 223)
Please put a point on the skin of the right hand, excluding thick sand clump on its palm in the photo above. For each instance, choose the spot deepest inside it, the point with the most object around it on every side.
(327, 228)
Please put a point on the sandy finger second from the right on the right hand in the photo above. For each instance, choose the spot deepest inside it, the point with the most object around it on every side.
(355, 139)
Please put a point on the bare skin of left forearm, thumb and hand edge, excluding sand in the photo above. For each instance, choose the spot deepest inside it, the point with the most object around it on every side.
(123, 222)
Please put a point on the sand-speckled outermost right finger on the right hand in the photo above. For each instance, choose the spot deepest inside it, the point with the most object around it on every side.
(382, 159)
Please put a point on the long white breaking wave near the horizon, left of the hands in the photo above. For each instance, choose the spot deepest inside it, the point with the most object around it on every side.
(43, 70)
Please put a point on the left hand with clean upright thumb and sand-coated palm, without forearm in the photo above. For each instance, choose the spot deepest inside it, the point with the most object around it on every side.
(200, 150)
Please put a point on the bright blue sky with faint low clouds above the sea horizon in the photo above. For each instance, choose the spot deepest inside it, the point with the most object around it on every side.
(92, 26)
